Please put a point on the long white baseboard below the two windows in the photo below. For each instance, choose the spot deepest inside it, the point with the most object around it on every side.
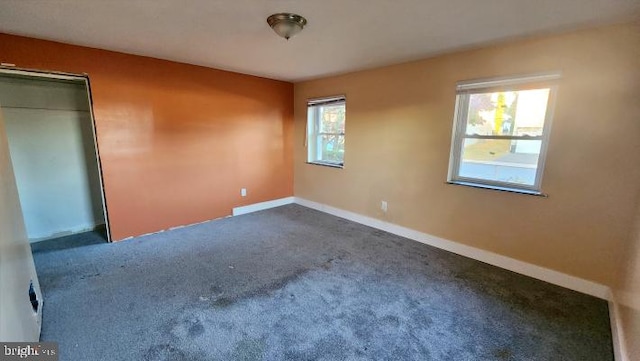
(511, 264)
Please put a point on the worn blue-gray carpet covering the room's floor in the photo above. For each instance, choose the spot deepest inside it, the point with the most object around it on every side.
(291, 283)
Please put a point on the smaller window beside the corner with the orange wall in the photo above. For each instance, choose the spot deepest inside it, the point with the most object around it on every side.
(325, 131)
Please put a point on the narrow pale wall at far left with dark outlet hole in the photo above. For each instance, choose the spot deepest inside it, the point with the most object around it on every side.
(17, 320)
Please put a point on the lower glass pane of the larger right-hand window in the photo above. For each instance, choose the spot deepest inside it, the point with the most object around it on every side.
(511, 161)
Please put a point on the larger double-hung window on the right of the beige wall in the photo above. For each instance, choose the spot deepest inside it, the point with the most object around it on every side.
(501, 130)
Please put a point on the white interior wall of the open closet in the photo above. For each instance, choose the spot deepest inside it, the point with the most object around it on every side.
(48, 125)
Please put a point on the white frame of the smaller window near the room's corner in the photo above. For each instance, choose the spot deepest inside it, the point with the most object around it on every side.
(314, 136)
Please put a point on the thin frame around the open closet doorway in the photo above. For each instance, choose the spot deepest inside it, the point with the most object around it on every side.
(35, 73)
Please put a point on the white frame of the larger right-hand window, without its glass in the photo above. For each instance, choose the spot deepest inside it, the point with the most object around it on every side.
(463, 92)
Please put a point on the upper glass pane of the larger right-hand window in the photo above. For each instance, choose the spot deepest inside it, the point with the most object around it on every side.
(507, 113)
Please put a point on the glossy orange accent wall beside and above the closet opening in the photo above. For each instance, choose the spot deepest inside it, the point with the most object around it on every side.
(177, 142)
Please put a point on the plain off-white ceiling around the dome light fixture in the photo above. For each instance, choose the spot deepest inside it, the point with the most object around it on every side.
(341, 36)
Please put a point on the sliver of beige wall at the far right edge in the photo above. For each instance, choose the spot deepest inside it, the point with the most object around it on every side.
(628, 294)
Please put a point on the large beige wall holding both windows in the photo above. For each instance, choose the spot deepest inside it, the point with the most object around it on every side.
(398, 135)
